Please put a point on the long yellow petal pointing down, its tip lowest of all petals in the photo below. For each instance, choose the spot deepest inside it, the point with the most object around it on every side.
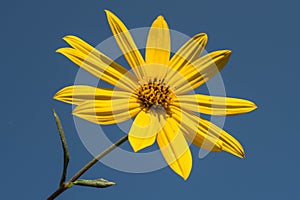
(175, 149)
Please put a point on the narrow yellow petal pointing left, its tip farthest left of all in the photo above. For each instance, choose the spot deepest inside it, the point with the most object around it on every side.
(77, 94)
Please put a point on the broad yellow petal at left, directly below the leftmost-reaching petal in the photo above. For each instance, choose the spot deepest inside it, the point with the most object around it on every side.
(107, 111)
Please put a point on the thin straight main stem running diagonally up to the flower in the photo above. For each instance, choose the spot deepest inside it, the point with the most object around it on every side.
(67, 185)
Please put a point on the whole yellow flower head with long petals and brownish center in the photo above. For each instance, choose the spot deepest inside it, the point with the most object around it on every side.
(156, 93)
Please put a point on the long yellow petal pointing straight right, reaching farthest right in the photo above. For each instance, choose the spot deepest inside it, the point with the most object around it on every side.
(214, 105)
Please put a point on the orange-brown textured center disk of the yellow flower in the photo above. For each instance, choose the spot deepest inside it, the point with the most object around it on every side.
(155, 93)
